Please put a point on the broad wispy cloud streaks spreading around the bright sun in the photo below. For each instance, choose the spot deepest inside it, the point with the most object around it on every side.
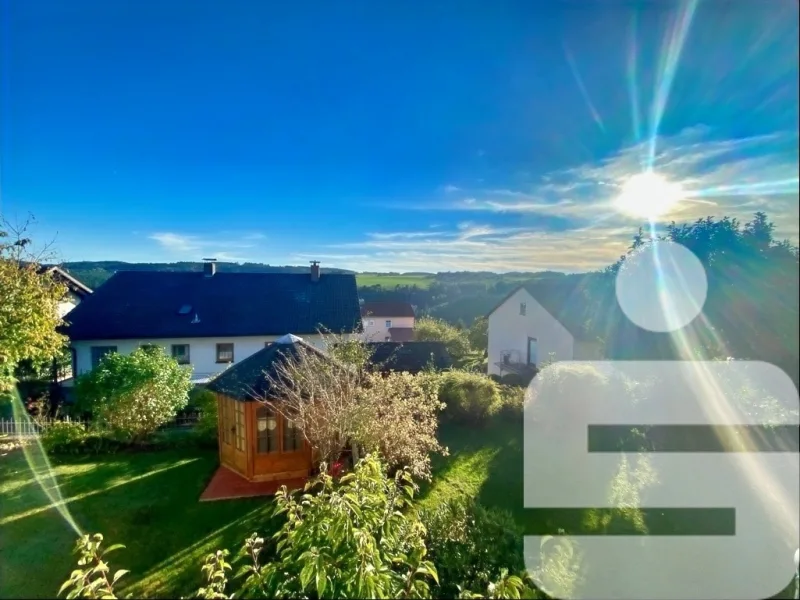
(719, 177)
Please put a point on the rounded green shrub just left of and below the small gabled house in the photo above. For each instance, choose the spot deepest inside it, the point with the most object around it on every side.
(470, 398)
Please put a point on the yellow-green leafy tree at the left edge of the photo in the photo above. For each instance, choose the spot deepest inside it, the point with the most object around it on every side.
(28, 306)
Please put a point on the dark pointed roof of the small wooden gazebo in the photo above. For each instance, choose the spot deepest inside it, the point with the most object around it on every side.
(250, 378)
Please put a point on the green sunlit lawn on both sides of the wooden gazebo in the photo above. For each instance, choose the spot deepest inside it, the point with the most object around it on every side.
(148, 501)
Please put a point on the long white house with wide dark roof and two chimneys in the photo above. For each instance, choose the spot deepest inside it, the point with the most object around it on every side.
(209, 320)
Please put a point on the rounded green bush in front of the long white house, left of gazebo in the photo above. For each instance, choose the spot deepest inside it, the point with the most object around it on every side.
(132, 395)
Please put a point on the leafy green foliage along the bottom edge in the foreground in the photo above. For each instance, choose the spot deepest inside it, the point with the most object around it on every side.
(359, 537)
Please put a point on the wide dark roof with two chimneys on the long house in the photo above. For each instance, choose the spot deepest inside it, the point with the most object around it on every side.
(146, 304)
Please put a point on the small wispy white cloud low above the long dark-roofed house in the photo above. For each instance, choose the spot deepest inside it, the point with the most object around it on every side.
(180, 246)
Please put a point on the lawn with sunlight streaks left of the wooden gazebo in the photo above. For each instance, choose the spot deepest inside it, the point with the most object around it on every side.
(147, 501)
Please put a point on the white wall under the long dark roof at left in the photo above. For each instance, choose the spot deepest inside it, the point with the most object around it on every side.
(202, 351)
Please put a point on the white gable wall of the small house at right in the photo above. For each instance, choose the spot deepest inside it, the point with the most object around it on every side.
(508, 330)
